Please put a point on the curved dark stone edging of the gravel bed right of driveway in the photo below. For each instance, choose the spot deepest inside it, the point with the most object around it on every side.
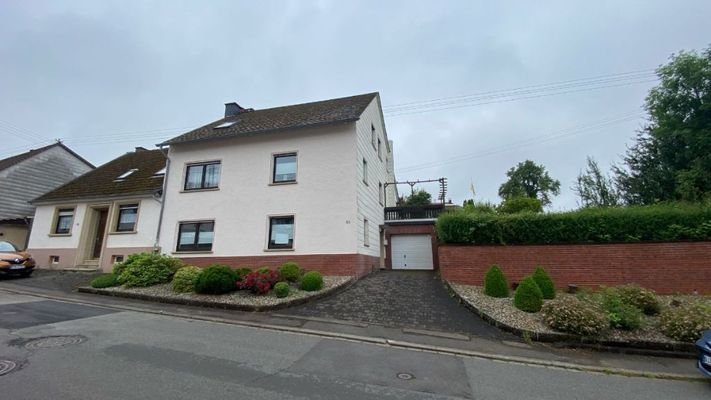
(644, 348)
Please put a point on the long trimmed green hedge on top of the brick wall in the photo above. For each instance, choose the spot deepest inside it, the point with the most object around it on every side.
(603, 225)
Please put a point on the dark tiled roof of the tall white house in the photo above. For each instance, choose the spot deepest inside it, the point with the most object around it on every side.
(252, 122)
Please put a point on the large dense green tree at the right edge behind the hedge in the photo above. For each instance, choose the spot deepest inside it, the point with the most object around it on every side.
(671, 159)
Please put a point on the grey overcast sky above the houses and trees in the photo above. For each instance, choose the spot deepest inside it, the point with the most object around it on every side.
(108, 76)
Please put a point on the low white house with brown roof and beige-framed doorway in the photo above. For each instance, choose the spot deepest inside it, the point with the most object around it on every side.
(102, 216)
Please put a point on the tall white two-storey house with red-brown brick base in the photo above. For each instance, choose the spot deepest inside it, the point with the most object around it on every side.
(303, 182)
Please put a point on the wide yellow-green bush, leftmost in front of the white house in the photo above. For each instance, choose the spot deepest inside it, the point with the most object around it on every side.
(146, 269)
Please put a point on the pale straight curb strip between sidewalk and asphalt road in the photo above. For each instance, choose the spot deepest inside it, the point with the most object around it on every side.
(390, 343)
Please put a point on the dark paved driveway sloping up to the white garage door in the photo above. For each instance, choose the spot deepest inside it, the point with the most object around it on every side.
(410, 299)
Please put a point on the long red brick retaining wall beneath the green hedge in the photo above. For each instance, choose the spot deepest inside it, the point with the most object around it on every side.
(682, 267)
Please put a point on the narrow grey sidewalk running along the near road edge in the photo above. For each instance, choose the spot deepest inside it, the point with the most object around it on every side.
(425, 340)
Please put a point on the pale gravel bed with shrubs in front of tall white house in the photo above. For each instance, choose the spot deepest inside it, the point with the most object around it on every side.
(242, 297)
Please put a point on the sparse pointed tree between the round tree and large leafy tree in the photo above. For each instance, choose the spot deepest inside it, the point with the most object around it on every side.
(596, 189)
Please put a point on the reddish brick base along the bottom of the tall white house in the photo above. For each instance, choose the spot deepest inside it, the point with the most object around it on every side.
(328, 264)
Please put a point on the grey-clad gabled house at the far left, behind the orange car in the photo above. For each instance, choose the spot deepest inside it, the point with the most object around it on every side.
(28, 175)
